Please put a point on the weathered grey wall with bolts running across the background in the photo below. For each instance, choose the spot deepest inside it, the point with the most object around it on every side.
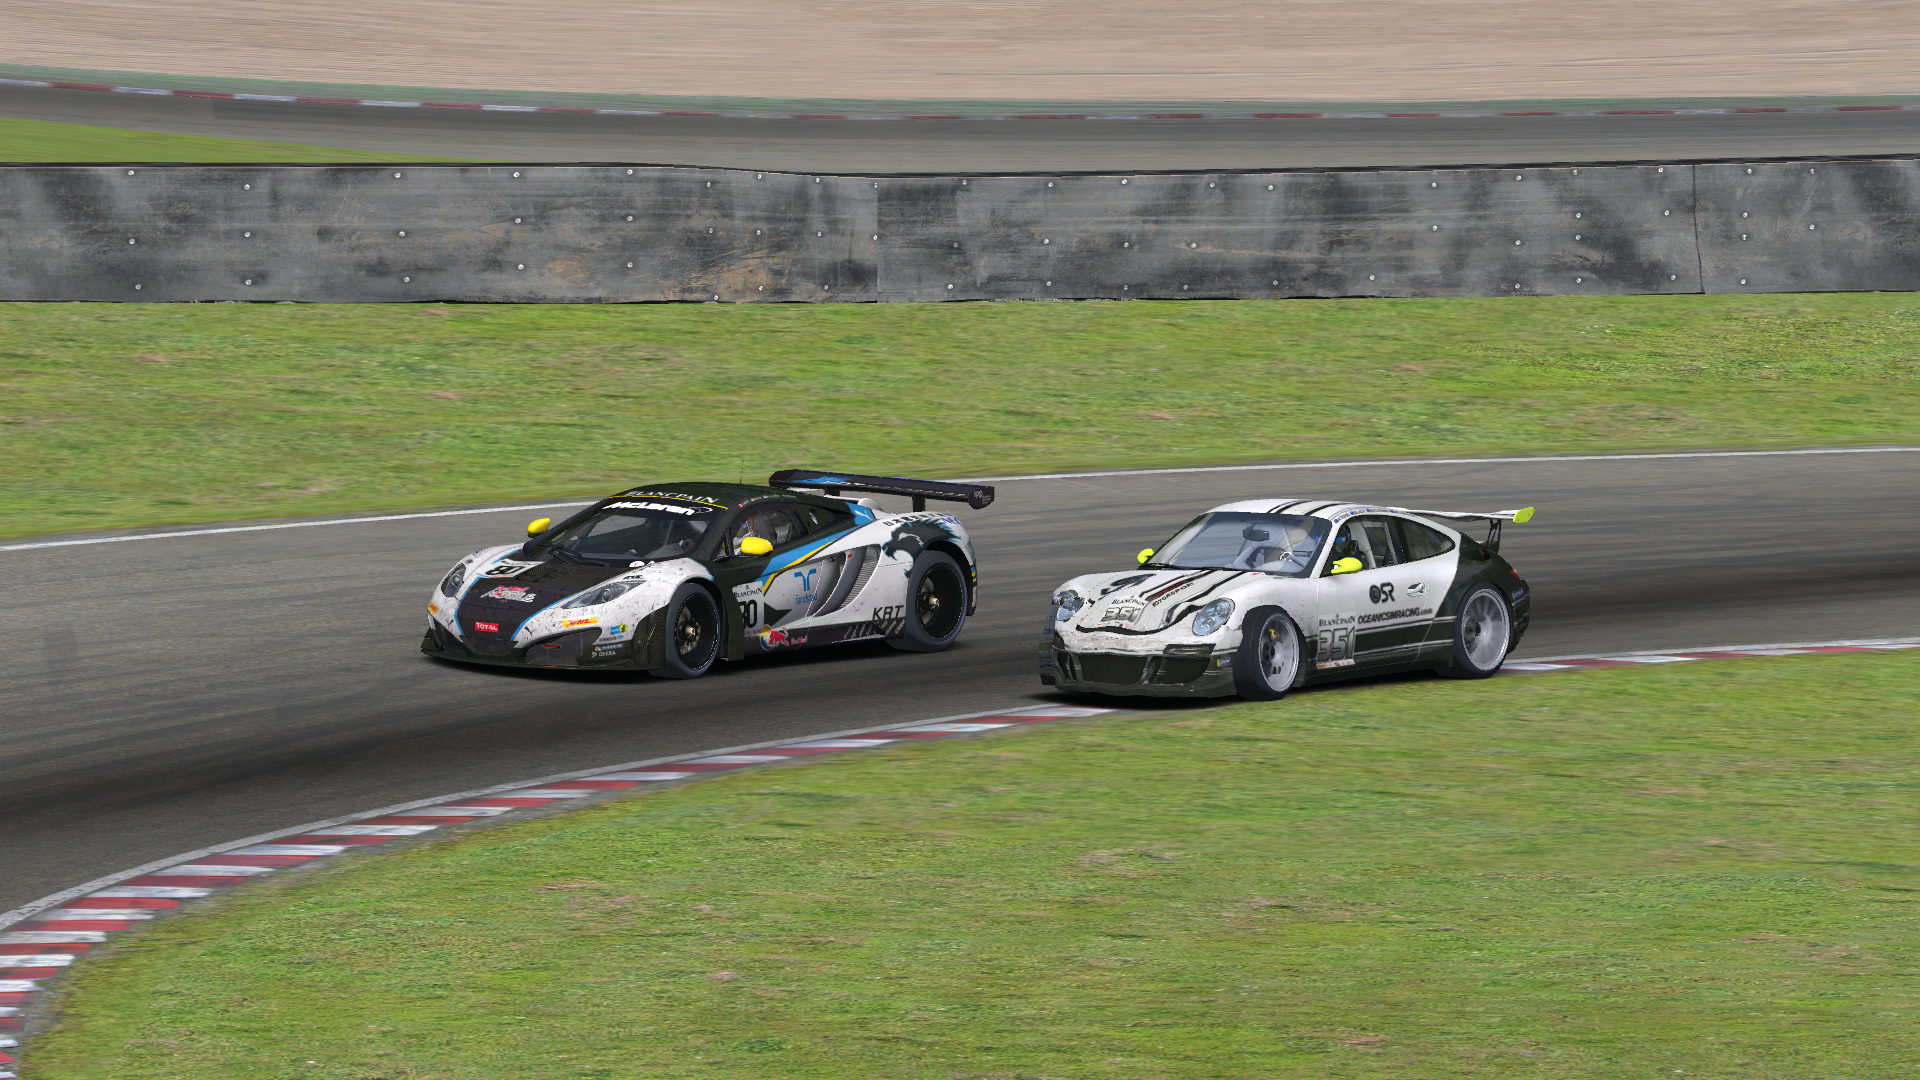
(617, 233)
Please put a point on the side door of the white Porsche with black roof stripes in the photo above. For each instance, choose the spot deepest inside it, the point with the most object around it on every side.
(1366, 618)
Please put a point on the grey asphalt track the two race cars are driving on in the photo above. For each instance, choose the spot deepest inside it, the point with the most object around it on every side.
(168, 695)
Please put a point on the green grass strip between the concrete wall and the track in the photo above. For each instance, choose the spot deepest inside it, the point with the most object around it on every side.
(128, 414)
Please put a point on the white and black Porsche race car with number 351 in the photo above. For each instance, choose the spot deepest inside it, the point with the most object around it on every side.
(1260, 597)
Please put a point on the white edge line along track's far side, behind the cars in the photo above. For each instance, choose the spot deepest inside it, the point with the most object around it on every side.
(1024, 478)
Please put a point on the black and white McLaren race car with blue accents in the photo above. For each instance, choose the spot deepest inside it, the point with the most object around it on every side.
(675, 577)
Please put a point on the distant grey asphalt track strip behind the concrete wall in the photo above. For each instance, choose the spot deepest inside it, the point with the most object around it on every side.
(990, 147)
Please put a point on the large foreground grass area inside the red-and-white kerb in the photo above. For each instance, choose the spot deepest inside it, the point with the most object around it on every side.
(1633, 873)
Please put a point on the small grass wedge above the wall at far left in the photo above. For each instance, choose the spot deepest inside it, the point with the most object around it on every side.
(47, 141)
